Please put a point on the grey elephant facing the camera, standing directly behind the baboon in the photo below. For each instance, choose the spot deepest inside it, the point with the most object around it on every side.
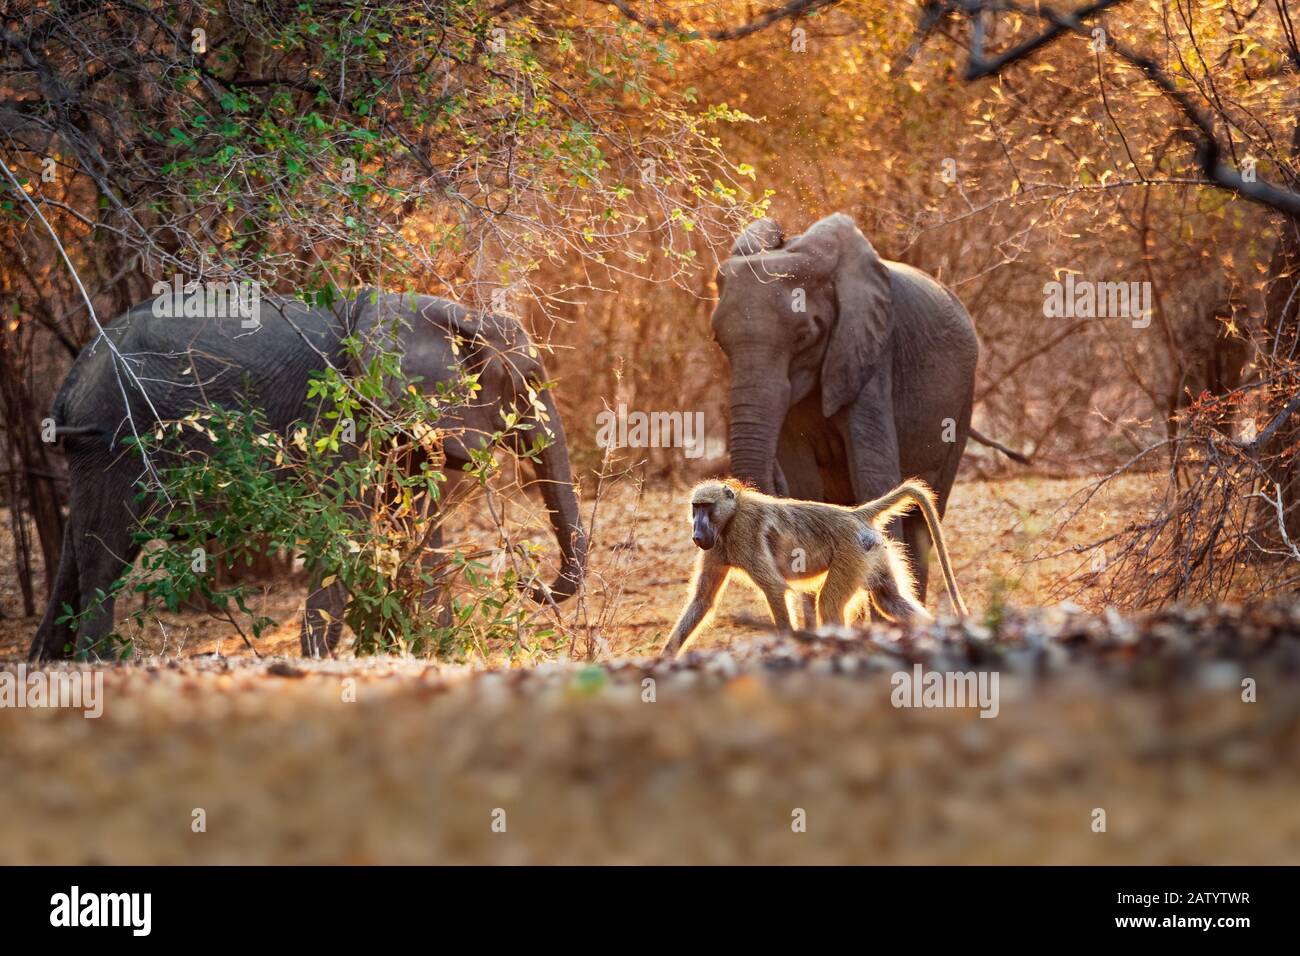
(848, 373)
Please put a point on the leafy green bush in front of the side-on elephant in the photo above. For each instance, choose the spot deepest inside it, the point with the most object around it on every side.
(357, 490)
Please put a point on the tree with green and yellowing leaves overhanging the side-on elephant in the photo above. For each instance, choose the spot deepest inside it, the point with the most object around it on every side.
(443, 148)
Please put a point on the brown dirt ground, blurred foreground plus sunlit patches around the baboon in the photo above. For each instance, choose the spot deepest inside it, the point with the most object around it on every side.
(749, 750)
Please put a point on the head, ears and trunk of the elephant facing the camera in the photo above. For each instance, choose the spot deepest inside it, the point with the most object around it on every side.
(814, 312)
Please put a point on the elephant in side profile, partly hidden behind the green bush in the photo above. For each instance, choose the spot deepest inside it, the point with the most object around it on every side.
(162, 369)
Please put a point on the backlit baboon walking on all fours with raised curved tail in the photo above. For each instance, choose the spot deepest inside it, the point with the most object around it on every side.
(834, 551)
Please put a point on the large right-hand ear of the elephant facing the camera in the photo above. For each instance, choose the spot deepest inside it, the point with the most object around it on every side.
(864, 319)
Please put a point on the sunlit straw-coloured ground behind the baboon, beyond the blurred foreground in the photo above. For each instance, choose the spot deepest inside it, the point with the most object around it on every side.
(643, 556)
